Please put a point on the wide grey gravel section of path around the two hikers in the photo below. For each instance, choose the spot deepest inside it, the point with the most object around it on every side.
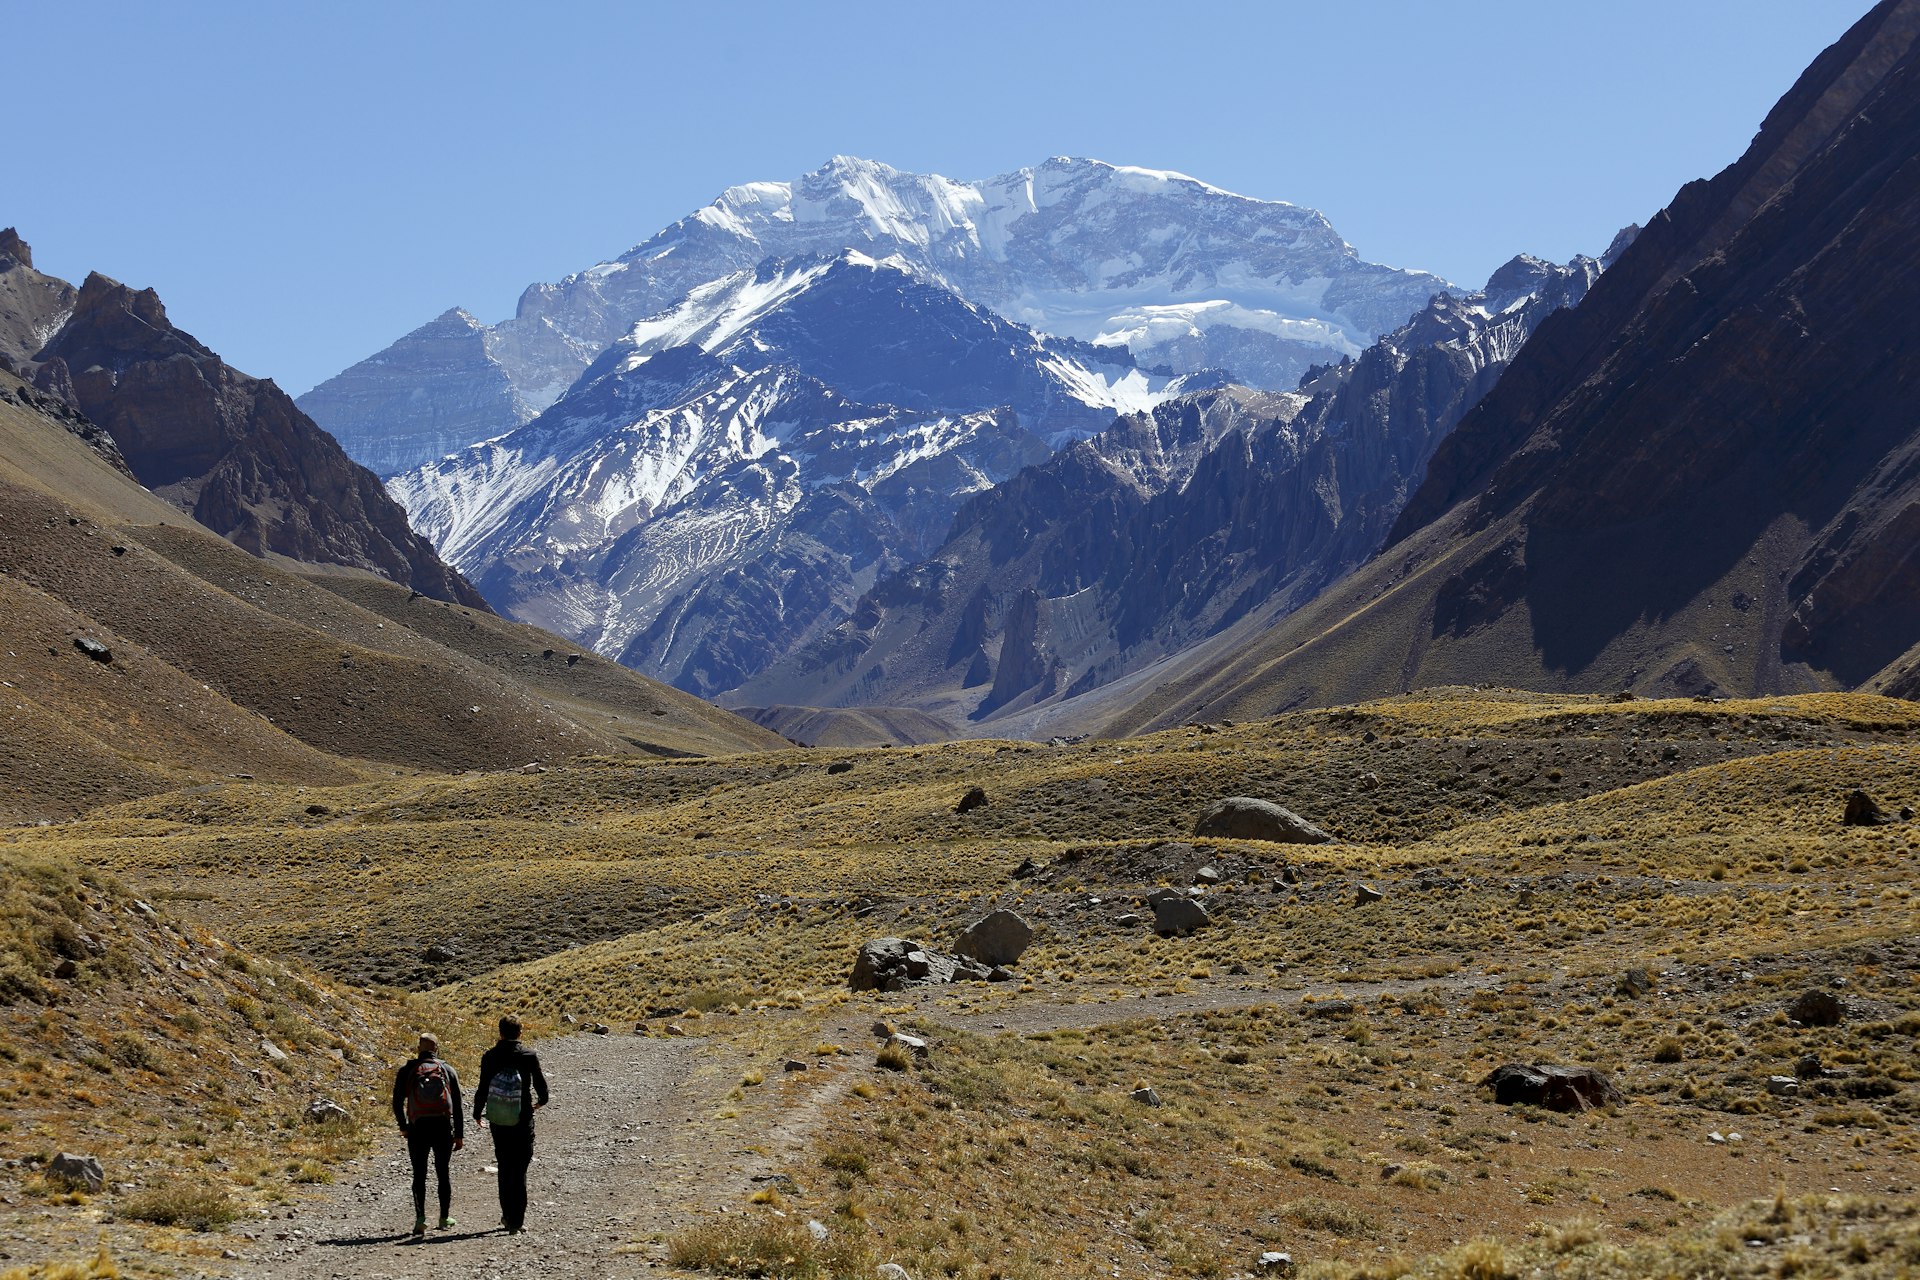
(613, 1145)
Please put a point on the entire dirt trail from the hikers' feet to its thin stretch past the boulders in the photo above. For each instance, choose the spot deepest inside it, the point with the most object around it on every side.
(621, 1156)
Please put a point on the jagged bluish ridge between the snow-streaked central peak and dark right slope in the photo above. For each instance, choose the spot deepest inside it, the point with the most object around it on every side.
(1174, 525)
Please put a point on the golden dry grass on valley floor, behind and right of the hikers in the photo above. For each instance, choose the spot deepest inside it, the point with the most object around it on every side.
(1531, 851)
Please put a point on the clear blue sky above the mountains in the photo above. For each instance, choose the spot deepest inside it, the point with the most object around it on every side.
(304, 183)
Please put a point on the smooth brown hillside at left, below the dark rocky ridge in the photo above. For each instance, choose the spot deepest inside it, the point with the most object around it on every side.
(224, 663)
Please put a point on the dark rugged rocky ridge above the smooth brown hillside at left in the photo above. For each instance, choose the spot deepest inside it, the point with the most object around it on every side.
(229, 450)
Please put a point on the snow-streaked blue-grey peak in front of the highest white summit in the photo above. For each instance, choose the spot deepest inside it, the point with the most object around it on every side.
(727, 481)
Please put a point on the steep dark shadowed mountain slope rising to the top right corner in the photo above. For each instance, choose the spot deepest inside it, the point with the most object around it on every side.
(1700, 481)
